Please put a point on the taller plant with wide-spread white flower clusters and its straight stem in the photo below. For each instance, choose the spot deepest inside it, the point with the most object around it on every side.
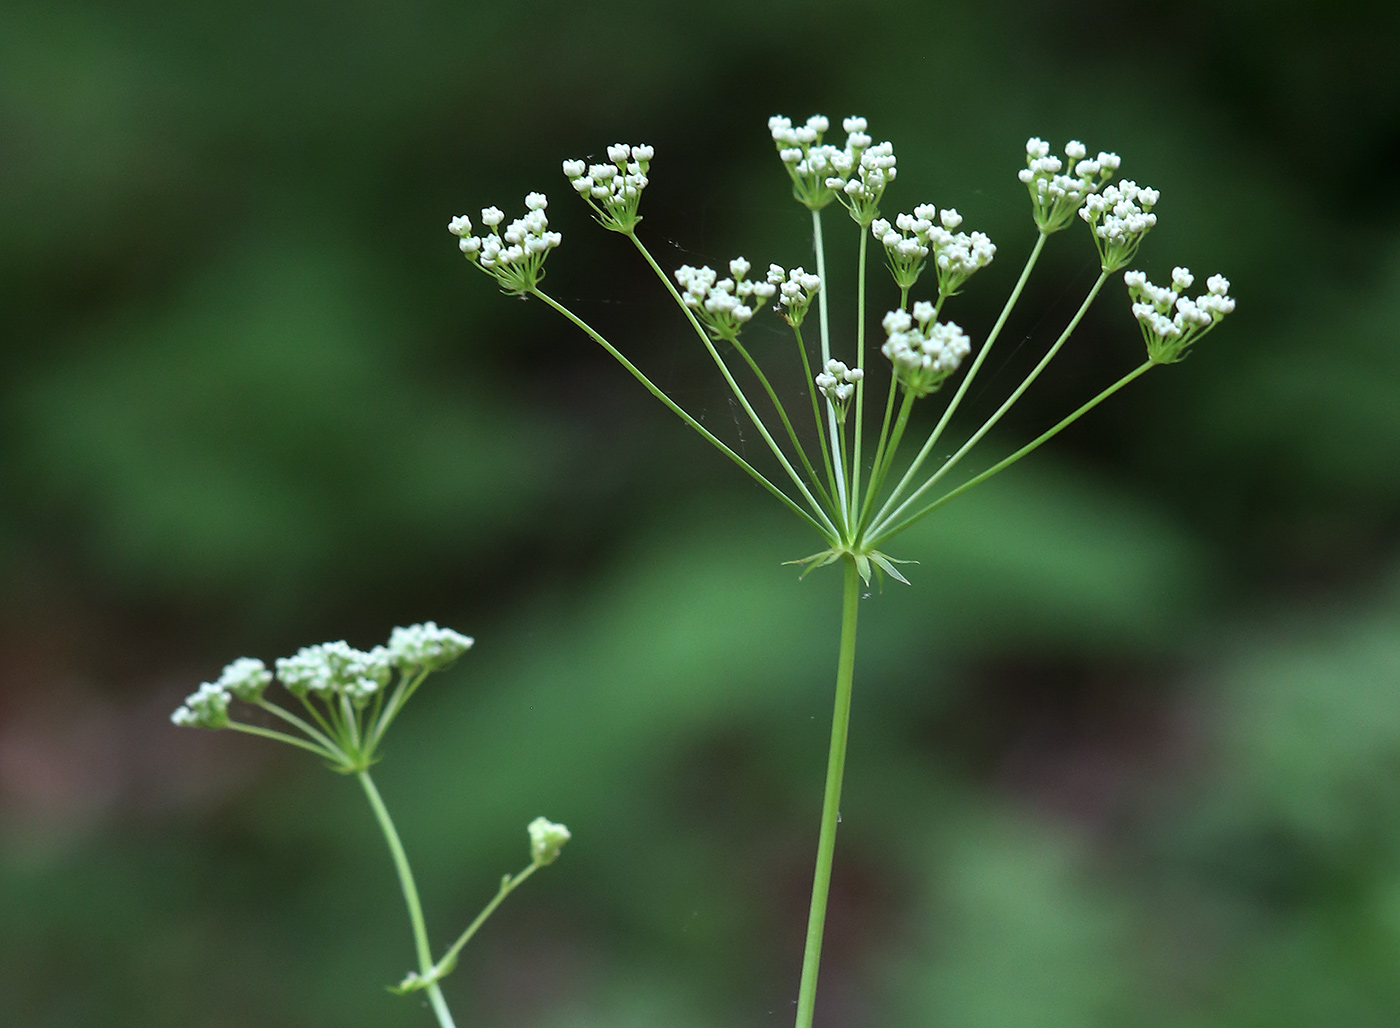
(842, 491)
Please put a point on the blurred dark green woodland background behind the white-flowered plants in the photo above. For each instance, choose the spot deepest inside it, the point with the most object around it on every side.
(1126, 754)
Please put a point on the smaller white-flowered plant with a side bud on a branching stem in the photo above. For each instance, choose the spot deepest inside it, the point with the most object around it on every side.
(351, 698)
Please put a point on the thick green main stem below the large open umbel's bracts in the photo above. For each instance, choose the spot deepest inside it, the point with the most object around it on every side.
(832, 799)
